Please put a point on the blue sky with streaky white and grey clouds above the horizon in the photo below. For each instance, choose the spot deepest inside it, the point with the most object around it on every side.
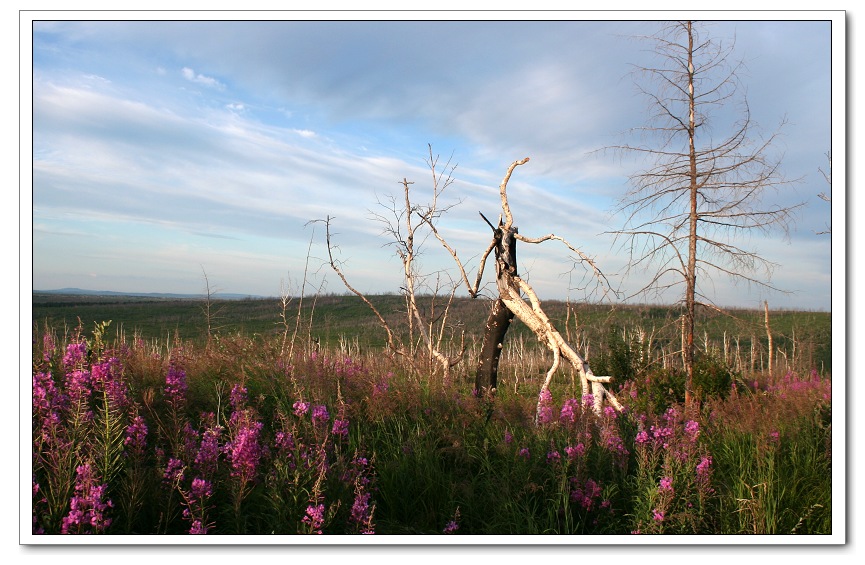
(165, 150)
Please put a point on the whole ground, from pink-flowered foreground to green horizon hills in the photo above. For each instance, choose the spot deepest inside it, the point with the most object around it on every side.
(298, 420)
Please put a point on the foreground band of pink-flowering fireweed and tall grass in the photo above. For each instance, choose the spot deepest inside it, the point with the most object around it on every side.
(236, 438)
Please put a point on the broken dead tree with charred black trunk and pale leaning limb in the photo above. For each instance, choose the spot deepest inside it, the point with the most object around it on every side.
(518, 299)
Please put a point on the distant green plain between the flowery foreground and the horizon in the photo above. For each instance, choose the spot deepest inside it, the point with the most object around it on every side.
(802, 340)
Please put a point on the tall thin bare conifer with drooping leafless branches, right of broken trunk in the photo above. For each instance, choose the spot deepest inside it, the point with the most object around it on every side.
(687, 213)
